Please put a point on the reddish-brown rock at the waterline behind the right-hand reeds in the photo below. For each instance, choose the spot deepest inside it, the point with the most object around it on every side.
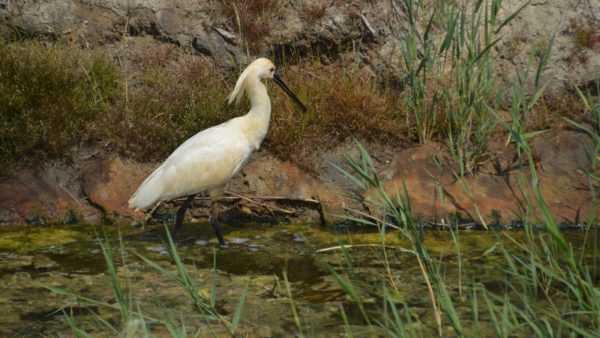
(494, 190)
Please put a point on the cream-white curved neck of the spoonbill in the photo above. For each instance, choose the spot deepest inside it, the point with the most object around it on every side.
(260, 111)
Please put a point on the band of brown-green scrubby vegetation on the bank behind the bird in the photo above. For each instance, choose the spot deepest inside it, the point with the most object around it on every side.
(54, 97)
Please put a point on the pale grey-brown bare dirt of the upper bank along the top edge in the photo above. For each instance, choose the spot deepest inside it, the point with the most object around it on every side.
(292, 30)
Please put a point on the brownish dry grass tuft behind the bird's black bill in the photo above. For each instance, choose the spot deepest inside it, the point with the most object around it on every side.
(340, 104)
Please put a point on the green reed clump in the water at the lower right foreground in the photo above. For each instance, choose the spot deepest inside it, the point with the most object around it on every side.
(547, 289)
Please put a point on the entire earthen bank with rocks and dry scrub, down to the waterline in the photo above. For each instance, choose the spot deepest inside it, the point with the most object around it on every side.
(155, 84)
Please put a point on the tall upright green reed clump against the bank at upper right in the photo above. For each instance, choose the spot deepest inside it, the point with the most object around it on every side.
(453, 91)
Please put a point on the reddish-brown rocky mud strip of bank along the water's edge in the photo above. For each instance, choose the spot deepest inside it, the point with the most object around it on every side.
(96, 189)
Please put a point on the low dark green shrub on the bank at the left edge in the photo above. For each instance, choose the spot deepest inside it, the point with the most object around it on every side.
(50, 95)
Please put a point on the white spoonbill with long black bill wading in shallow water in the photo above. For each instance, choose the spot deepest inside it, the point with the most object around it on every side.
(209, 159)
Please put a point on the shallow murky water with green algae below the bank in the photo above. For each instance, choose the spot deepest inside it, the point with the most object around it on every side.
(70, 257)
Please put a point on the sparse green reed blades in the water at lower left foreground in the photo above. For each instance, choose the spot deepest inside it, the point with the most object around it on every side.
(132, 319)
